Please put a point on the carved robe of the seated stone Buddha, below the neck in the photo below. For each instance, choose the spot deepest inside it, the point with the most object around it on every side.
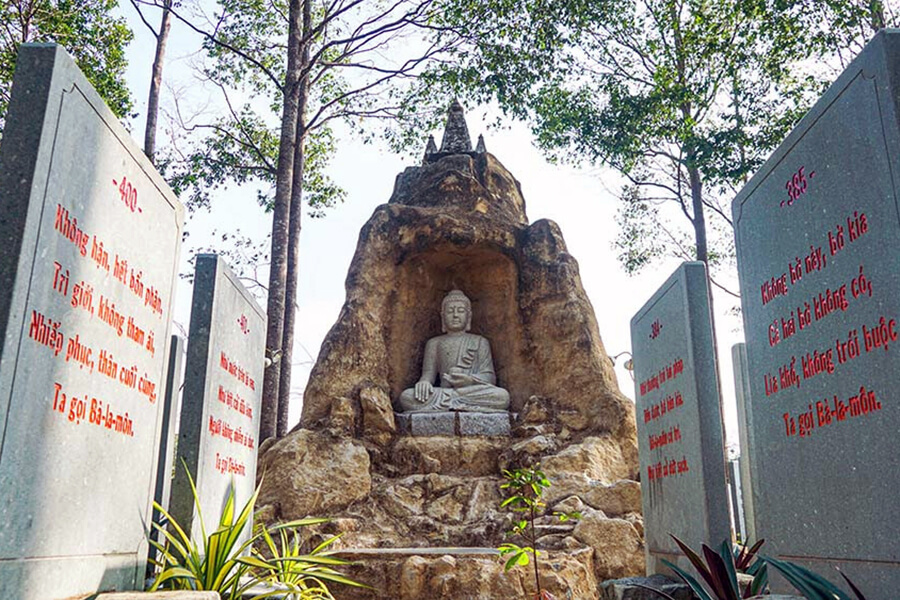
(458, 354)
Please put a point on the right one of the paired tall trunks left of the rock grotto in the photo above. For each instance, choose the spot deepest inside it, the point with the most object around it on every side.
(293, 254)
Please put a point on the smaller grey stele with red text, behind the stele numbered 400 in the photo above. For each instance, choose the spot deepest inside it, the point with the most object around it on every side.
(220, 418)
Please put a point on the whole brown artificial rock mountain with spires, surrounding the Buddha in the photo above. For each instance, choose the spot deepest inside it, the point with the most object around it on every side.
(458, 221)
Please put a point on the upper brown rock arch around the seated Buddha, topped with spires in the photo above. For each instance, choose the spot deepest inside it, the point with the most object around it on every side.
(458, 221)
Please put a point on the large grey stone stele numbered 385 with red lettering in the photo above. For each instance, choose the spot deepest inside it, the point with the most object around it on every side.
(816, 234)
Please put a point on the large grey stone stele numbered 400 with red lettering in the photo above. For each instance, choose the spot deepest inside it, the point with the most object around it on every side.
(91, 237)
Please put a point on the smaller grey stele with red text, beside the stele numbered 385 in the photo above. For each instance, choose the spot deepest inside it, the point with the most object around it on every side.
(680, 427)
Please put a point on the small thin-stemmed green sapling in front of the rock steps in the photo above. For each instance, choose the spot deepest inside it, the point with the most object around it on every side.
(526, 487)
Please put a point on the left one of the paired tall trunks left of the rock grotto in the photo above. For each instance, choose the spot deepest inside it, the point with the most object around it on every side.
(280, 226)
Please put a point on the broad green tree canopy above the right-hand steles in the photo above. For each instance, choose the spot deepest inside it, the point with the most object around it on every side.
(685, 99)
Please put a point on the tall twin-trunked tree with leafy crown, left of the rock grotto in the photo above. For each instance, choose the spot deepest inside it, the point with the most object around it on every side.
(322, 61)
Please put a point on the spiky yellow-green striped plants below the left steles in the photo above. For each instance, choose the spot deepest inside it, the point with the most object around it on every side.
(222, 563)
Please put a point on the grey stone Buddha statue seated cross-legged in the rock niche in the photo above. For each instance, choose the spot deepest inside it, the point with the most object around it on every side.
(462, 361)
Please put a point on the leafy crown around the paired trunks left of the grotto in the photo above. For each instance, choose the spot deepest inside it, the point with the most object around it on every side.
(356, 63)
